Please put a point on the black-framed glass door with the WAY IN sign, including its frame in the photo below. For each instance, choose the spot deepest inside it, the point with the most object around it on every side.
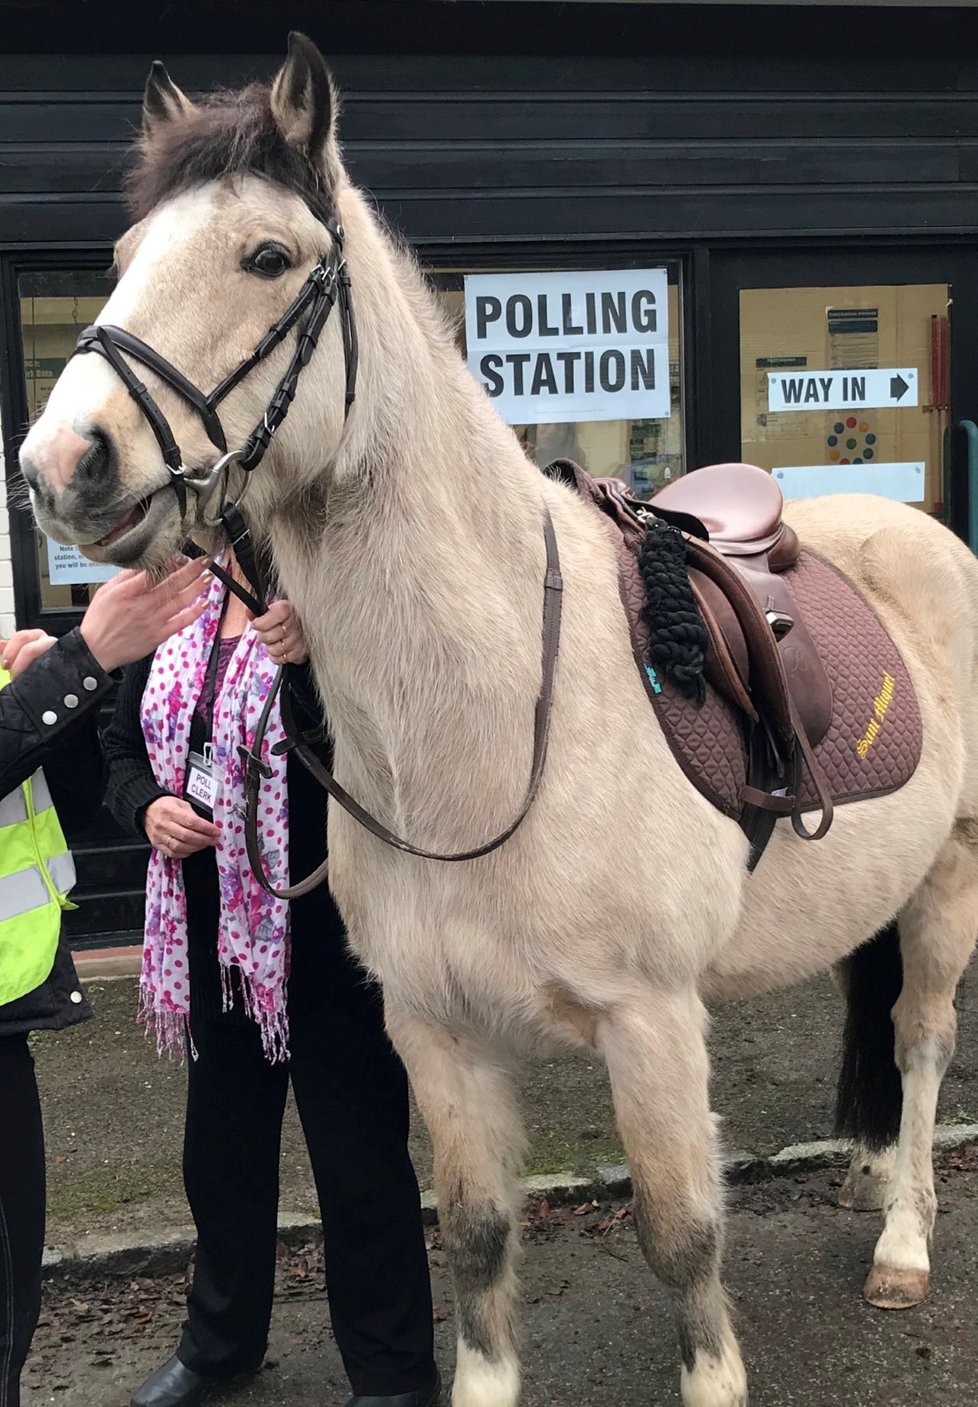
(848, 372)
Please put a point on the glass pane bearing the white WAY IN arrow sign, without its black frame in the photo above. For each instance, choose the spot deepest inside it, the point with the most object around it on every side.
(848, 389)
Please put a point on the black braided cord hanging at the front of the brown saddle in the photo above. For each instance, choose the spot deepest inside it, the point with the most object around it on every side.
(678, 635)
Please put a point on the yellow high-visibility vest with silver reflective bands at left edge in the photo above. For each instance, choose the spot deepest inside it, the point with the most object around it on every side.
(37, 873)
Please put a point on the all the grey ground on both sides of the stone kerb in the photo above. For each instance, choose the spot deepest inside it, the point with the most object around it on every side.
(597, 1328)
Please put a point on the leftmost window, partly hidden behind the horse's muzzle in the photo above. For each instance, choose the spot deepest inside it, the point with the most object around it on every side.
(56, 306)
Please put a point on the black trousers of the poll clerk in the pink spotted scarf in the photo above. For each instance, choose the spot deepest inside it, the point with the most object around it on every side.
(353, 1100)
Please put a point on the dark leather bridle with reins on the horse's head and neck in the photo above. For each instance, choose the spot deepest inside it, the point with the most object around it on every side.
(327, 285)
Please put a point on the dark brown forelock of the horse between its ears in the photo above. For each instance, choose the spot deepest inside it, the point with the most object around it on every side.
(227, 134)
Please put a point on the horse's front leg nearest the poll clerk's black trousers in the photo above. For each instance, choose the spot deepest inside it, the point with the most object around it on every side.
(478, 1139)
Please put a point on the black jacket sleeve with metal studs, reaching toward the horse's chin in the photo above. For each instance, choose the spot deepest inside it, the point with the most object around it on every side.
(50, 710)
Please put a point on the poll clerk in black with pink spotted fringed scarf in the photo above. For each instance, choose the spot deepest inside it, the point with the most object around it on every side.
(265, 993)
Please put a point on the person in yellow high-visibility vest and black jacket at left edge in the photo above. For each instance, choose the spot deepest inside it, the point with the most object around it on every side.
(50, 699)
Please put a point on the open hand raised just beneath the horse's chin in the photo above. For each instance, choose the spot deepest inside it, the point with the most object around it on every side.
(133, 614)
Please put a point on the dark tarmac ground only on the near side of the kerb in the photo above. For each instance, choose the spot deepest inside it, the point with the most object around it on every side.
(596, 1326)
